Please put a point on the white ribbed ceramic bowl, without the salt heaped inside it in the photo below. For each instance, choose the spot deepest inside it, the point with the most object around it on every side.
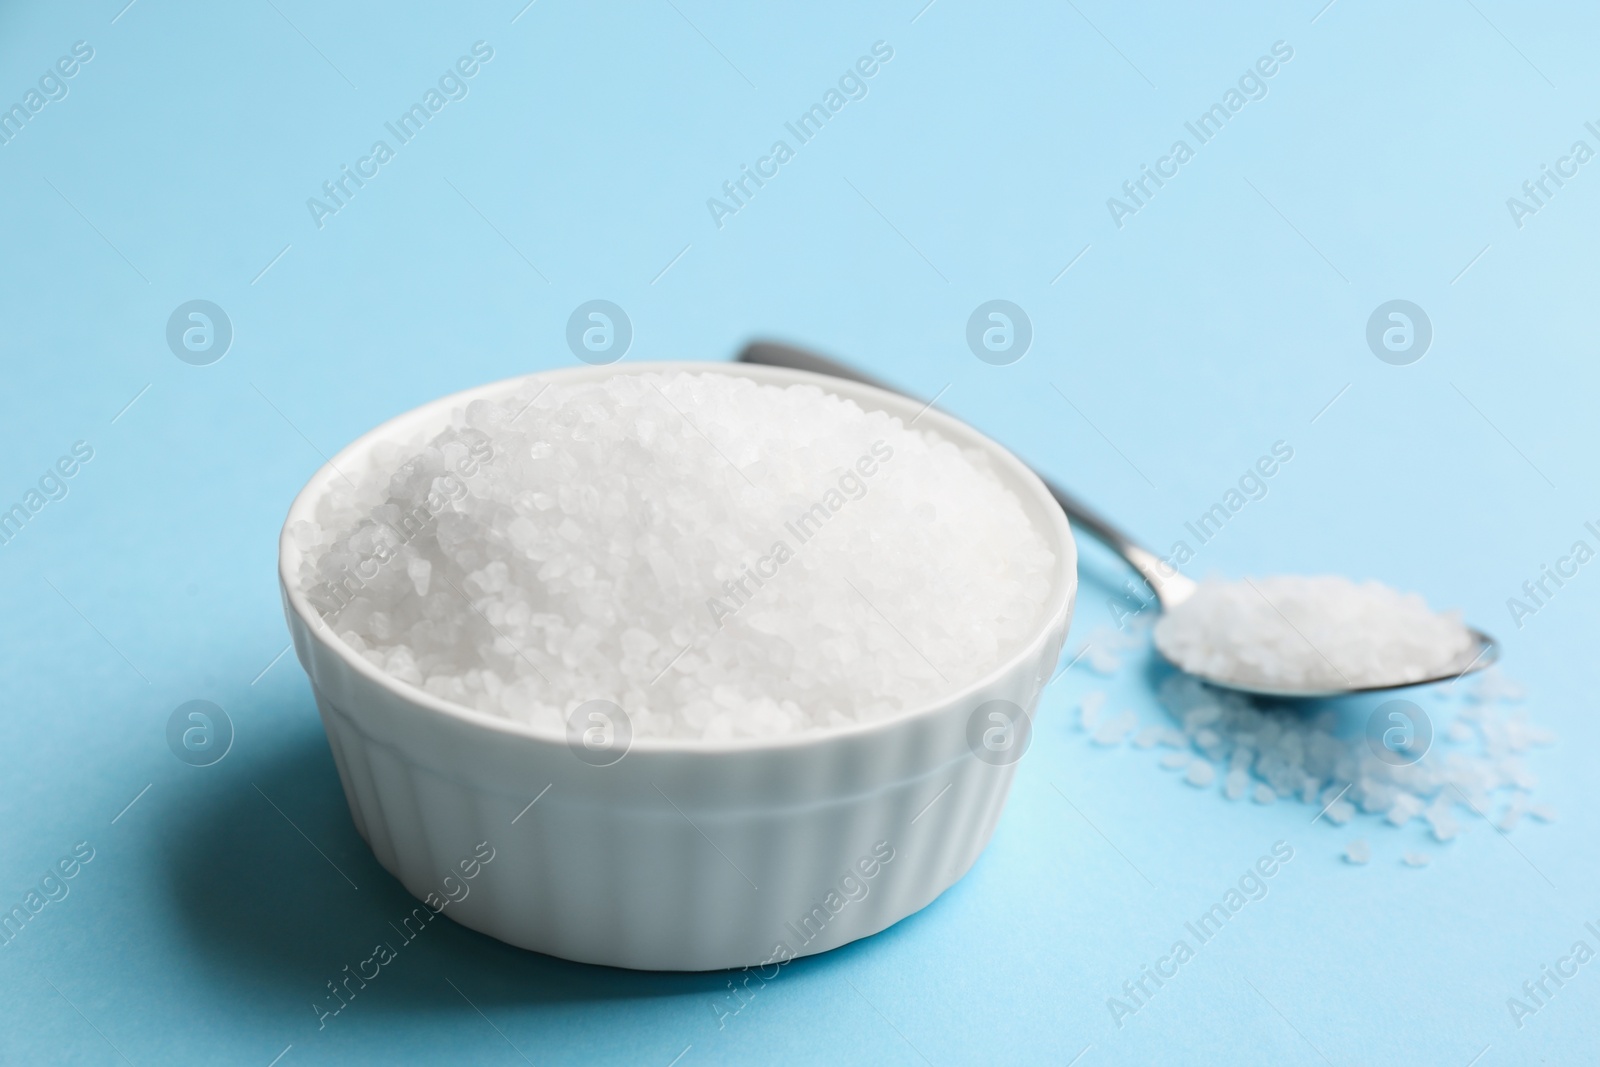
(686, 855)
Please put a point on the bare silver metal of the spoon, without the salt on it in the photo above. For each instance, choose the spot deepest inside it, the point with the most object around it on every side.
(1170, 588)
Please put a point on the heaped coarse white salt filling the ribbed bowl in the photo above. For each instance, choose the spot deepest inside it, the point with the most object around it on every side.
(705, 551)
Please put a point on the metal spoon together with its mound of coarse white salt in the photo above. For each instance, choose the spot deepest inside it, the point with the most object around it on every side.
(1286, 636)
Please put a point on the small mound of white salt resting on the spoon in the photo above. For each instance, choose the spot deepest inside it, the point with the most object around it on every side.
(1311, 634)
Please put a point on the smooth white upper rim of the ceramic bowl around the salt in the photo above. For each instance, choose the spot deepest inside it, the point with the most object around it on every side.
(441, 410)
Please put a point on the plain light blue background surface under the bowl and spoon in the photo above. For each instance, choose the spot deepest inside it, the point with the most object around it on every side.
(1220, 319)
